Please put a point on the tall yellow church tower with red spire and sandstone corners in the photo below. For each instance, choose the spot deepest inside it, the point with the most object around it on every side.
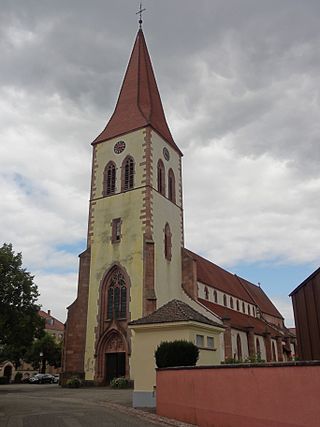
(132, 264)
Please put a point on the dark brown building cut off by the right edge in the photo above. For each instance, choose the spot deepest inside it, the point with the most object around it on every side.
(306, 308)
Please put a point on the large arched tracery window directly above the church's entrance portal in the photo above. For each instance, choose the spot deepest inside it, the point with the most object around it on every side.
(117, 296)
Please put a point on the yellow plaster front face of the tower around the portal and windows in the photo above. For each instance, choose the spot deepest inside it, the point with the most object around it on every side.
(127, 252)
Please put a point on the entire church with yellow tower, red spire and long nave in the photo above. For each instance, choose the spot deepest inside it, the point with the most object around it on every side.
(138, 285)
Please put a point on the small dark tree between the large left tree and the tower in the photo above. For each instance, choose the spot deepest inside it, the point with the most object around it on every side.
(44, 351)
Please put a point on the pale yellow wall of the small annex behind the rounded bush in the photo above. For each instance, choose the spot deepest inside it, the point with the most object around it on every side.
(146, 339)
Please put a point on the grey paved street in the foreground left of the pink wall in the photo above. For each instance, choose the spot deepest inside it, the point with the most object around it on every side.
(48, 405)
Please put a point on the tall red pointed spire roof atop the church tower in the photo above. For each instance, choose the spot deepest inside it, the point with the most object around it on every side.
(139, 103)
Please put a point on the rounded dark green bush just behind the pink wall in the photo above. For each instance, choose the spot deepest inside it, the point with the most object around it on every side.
(176, 353)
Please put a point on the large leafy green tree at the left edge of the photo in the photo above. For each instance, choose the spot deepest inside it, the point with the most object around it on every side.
(20, 323)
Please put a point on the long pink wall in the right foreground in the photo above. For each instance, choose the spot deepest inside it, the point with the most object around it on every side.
(241, 396)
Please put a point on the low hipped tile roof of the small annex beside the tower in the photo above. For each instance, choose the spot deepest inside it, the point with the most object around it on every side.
(174, 311)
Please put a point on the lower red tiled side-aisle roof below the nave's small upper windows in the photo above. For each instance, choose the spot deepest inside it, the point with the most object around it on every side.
(239, 320)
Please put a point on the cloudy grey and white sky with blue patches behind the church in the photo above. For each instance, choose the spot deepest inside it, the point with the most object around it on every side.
(239, 81)
